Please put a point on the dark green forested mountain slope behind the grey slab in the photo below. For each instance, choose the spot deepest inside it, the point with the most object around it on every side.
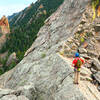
(25, 26)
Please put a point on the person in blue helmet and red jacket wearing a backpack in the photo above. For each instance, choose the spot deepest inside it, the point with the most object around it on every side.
(77, 63)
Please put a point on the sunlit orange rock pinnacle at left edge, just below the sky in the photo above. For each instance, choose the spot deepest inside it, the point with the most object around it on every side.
(4, 25)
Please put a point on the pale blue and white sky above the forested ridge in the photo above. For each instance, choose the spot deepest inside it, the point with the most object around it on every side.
(8, 7)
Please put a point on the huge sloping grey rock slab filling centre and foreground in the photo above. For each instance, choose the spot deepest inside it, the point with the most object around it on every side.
(50, 77)
